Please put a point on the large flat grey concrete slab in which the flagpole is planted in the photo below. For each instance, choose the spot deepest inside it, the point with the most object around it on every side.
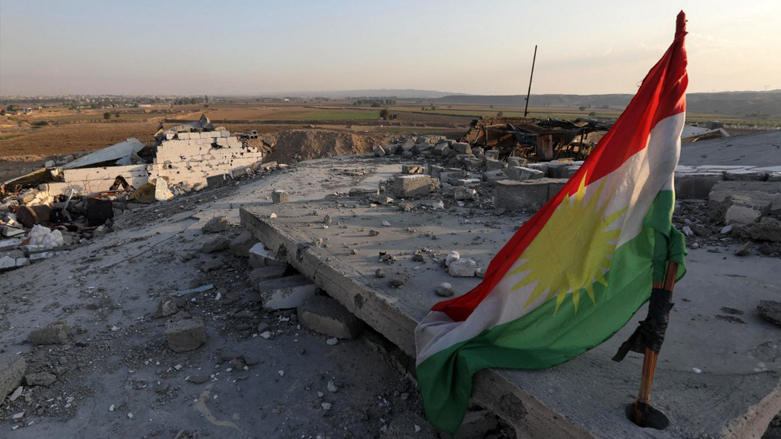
(718, 377)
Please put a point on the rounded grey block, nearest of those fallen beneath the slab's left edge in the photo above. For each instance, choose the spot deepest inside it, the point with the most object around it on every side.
(327, 316)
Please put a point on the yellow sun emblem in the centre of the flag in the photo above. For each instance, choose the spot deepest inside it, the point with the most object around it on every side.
(572, 251)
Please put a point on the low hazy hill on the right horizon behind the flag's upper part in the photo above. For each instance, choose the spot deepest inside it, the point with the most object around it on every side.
(733, 103)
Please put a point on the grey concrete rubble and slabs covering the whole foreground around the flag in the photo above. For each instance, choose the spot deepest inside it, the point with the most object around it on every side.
(243, 309)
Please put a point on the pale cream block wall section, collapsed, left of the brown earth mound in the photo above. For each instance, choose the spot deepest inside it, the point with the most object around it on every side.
(192, 157)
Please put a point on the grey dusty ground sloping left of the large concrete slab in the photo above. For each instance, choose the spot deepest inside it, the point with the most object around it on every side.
(246, 386)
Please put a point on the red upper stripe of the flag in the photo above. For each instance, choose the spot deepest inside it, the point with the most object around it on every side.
(661, 95)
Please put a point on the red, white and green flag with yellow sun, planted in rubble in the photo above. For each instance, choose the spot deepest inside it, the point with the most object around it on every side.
(575, 273)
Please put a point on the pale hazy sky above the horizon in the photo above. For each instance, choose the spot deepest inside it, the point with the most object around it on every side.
(253, 47)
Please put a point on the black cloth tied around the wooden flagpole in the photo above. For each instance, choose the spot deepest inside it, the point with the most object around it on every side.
(650, 333)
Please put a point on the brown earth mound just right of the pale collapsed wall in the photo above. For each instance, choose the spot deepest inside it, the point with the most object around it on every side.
(307, 144)
